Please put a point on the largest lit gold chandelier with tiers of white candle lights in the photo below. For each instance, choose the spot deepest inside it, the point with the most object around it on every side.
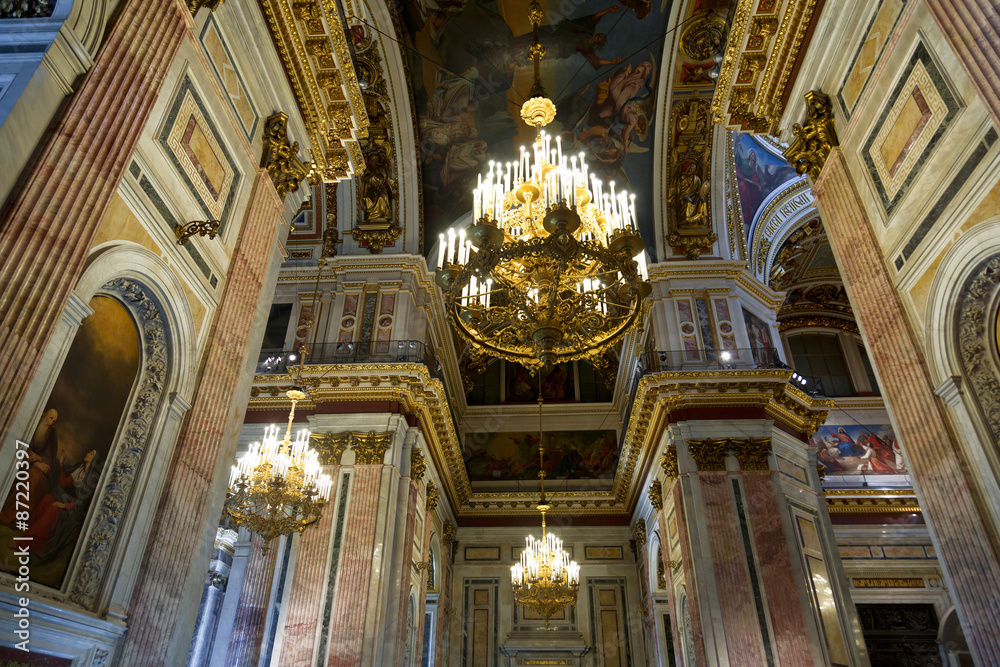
(552, 269)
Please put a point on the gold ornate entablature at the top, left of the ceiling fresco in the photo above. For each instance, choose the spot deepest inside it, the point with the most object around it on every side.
(310, 38)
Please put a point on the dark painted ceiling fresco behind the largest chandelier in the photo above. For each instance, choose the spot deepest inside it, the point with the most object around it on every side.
(469, 72)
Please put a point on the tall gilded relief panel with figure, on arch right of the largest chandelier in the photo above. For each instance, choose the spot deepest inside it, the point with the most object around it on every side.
(689, 214)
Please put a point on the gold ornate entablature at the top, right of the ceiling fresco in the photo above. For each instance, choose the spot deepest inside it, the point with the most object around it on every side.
(765, 39)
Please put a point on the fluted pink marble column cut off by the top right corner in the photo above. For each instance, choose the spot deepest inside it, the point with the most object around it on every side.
(973, 30)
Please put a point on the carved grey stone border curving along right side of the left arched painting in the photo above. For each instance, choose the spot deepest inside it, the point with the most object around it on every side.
(131, 446)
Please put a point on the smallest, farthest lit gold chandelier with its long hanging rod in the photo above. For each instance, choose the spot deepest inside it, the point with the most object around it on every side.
(545, 579)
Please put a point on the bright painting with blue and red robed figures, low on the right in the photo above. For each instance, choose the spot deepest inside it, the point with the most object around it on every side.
(859, 449)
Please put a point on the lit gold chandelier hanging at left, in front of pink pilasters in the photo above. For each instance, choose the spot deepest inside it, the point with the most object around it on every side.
(278, 487)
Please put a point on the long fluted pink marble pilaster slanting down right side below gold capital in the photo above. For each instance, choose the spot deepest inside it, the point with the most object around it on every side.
(964, 536)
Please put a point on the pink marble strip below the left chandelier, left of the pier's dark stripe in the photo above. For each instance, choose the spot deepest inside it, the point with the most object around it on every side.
(308, 593)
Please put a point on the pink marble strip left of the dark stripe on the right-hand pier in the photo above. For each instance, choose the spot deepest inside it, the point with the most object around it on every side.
(736, 602)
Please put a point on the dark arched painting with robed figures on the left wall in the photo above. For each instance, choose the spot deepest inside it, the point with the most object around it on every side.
(71, 443)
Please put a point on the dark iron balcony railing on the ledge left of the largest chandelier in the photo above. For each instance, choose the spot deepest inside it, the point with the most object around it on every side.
(357, 352)
